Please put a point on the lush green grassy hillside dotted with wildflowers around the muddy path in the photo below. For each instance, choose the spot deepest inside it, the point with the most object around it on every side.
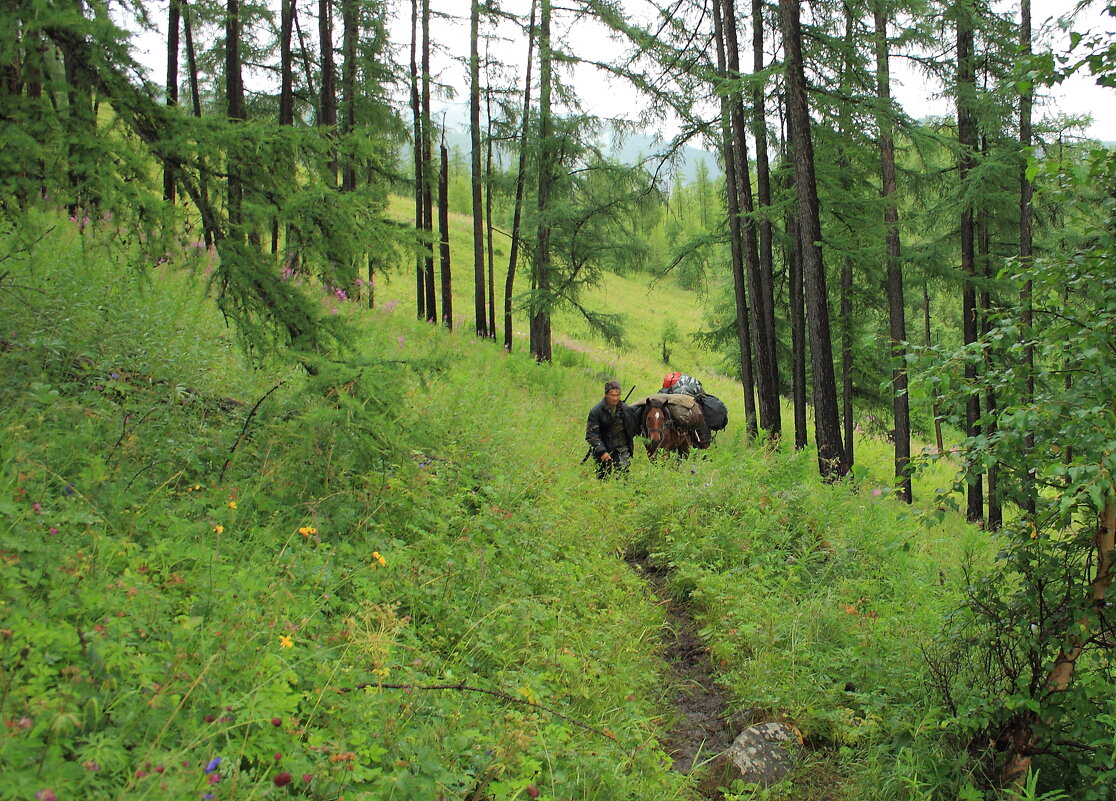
(396, 581)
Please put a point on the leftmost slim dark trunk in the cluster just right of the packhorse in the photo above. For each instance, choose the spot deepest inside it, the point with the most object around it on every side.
(733, 202)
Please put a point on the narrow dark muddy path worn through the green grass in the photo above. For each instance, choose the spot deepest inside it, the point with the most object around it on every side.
(704, 729)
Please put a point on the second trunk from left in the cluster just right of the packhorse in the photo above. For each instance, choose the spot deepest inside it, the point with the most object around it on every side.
(764, 350)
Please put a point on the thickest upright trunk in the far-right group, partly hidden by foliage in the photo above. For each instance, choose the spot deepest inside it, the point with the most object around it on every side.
(967, 141)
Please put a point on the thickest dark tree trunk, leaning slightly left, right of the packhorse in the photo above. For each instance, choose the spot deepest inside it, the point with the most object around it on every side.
(826, 419)
